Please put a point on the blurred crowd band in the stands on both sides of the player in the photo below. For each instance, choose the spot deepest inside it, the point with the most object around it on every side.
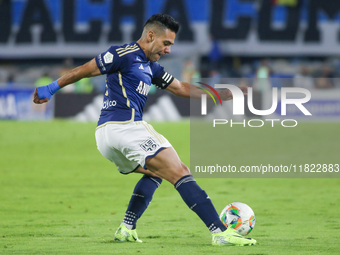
(302, 72)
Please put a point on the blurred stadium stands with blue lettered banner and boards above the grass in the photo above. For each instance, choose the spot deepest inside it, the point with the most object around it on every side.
(42, 39)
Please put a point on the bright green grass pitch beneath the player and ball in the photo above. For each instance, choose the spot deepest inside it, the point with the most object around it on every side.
(58, 195)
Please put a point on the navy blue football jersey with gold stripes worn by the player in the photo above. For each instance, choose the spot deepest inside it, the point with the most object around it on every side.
(129, 77)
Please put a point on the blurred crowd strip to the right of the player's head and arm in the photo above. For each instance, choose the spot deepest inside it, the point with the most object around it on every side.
(303, 72)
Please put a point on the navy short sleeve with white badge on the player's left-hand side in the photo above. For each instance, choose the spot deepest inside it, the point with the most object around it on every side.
(109, 61)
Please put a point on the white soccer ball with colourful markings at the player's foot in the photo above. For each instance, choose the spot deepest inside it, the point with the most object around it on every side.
(238, 216)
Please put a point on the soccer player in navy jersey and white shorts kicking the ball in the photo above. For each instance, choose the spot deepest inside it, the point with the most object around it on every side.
(132, 144)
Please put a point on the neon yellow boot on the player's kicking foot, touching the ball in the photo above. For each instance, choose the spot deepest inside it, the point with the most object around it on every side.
(231, 238)
